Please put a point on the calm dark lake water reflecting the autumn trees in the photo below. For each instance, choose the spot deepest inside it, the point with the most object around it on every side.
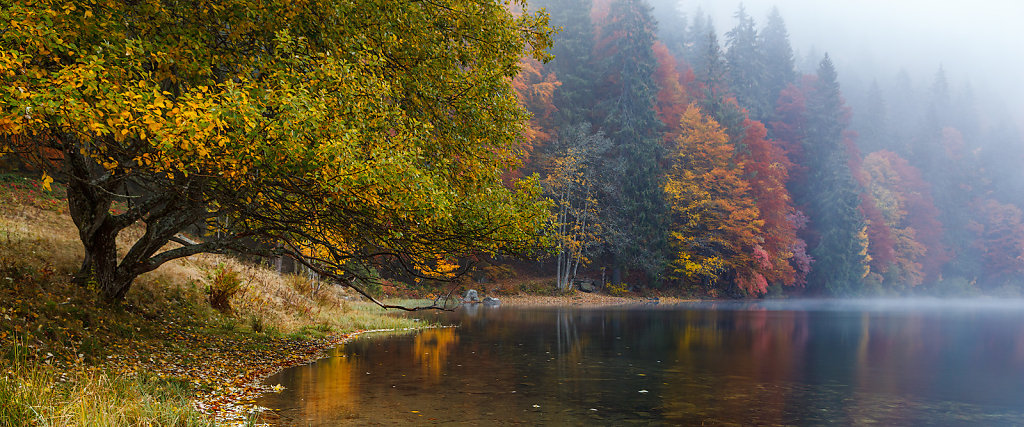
(803, 364)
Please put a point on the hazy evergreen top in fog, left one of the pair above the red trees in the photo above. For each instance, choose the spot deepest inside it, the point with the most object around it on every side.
(747, 66)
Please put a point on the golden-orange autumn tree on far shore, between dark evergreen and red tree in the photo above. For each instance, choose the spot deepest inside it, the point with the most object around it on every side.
(715, 224)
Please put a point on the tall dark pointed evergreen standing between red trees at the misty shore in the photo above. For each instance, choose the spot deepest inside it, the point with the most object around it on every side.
(841, 250)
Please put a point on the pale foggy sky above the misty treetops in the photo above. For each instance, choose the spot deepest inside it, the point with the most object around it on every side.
(978, 40)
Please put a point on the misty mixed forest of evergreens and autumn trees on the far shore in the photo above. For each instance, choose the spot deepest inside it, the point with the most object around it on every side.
(721, 165)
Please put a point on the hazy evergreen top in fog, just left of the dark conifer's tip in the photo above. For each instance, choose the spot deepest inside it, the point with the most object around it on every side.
(780, 64)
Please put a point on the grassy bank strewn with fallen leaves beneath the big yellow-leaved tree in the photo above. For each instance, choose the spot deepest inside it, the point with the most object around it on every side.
(165, 356)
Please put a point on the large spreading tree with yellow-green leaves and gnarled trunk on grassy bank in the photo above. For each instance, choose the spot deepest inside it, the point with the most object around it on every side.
(354, 133)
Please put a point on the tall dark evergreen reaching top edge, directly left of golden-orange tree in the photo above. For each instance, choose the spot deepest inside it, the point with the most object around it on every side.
(638, 229)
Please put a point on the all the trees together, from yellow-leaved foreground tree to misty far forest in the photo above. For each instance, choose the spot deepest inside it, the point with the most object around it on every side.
(617, 141)
